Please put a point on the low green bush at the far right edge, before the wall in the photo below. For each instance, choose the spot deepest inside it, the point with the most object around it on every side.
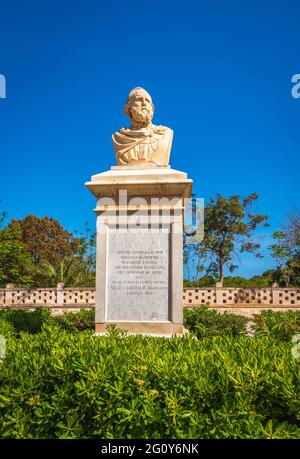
(278, 324)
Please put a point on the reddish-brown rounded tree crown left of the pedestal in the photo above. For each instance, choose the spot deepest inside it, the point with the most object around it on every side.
(46, 239)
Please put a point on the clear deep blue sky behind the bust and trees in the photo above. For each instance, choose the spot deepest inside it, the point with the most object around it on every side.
(219, 73)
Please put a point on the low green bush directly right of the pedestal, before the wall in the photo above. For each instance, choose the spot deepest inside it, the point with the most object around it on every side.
(204, 323)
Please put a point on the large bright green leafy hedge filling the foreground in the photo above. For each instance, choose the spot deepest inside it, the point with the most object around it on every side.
(57, 384)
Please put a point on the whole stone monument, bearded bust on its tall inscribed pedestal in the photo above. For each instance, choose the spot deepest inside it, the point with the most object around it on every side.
(140, 211)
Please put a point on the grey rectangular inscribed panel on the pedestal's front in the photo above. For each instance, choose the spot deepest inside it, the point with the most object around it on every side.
(138, 276)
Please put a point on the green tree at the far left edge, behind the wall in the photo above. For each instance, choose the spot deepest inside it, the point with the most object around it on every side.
(16, 264)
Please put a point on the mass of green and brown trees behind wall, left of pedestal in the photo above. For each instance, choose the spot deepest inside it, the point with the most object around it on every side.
(40, 252)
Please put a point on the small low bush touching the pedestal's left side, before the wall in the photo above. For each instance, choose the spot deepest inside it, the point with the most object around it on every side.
(72, 321)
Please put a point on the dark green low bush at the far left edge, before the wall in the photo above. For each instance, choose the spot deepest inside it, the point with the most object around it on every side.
(24, 320)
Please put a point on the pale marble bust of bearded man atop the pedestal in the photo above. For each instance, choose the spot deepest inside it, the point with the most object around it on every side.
(143, 143)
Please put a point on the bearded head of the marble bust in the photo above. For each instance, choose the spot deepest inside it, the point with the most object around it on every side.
(139, 107)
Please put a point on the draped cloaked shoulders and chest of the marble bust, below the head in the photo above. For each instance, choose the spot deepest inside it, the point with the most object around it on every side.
(143, 145)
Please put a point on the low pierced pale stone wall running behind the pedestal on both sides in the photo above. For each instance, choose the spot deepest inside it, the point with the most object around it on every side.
(62, 299)
